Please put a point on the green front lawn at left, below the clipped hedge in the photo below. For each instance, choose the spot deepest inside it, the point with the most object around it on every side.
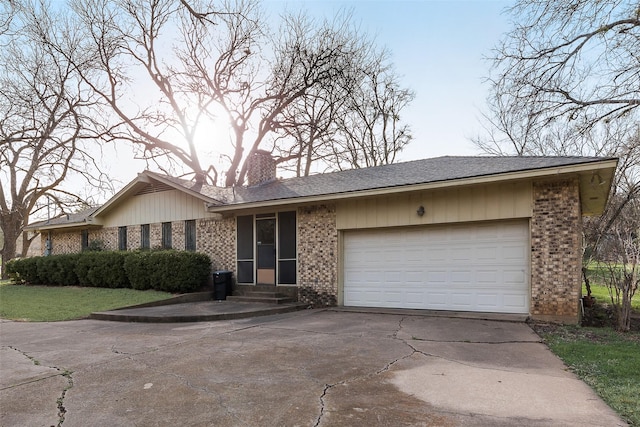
(51, 304)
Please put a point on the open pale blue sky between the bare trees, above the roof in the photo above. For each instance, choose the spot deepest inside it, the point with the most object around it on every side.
(439, 49)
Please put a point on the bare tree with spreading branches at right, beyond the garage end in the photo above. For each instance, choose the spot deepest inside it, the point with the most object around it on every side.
(566, 81)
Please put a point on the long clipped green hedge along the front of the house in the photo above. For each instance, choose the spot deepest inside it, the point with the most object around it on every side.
(166, 270)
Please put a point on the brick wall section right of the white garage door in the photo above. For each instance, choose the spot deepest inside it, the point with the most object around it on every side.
(556, 250)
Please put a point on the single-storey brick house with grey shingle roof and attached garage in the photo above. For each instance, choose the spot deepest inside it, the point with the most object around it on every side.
(485, 234)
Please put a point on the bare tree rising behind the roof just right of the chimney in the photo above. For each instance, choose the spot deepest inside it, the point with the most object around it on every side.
(351, 120)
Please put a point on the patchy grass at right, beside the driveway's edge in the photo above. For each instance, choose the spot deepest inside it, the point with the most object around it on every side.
(604, 359)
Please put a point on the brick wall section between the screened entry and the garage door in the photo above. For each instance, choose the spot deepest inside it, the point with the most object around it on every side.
(318, 255)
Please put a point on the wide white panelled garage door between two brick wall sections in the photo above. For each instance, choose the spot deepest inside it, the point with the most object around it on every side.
(462, 268)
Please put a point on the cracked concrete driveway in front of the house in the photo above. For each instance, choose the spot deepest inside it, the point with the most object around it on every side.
(310, 368)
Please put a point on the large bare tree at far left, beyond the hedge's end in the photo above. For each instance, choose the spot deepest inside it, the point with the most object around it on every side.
(43, 123)
